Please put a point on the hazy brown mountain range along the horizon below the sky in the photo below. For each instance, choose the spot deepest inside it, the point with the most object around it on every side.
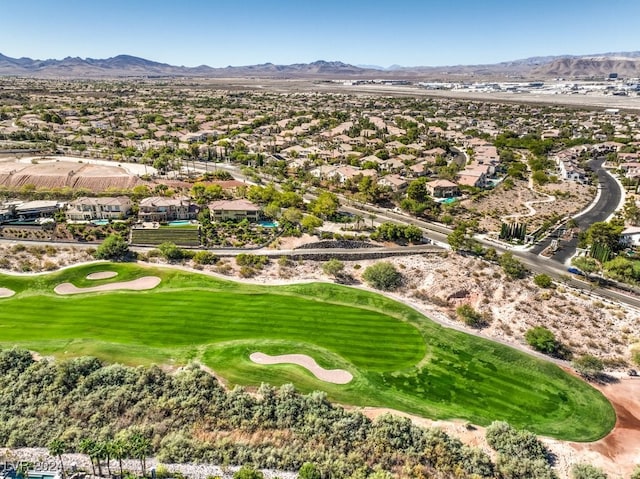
(626, 64)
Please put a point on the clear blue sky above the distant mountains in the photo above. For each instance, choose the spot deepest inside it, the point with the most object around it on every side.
(405, 32)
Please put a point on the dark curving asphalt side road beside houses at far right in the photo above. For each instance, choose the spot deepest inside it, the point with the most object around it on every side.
(608, 200)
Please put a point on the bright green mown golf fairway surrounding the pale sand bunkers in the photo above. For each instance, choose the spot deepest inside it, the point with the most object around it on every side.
(399, 358)
